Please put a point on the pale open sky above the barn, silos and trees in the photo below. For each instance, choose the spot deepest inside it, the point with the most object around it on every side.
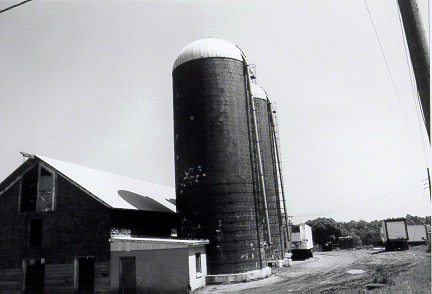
(89, 82)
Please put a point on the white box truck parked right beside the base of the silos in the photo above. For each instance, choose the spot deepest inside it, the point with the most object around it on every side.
(301, 241)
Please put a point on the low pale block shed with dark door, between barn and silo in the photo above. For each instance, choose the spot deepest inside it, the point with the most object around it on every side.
(146, 265)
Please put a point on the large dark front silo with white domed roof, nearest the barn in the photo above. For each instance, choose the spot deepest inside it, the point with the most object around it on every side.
(213, 158)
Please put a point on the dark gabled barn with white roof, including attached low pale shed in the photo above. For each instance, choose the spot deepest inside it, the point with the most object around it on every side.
(61, 226)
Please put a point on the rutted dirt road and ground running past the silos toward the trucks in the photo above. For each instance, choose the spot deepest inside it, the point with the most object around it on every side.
(344, 272)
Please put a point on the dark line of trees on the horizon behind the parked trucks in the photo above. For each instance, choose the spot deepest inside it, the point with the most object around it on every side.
(362, 232)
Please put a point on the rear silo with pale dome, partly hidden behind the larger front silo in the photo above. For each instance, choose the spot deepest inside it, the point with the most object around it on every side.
(268, 155)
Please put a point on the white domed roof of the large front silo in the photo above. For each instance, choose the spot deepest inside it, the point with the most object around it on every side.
(206, 48)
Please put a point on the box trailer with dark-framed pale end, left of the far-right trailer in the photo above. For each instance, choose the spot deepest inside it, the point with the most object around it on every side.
(394, 234)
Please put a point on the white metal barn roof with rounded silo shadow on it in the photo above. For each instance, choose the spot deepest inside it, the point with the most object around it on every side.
(114, 190)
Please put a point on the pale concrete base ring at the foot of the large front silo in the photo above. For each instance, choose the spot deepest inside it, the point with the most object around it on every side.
(238, 278)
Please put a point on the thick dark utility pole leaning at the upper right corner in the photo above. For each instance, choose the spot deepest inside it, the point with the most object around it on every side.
(419, 53)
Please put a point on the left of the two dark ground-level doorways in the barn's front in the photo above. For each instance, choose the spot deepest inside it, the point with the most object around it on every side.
(34, 276)
